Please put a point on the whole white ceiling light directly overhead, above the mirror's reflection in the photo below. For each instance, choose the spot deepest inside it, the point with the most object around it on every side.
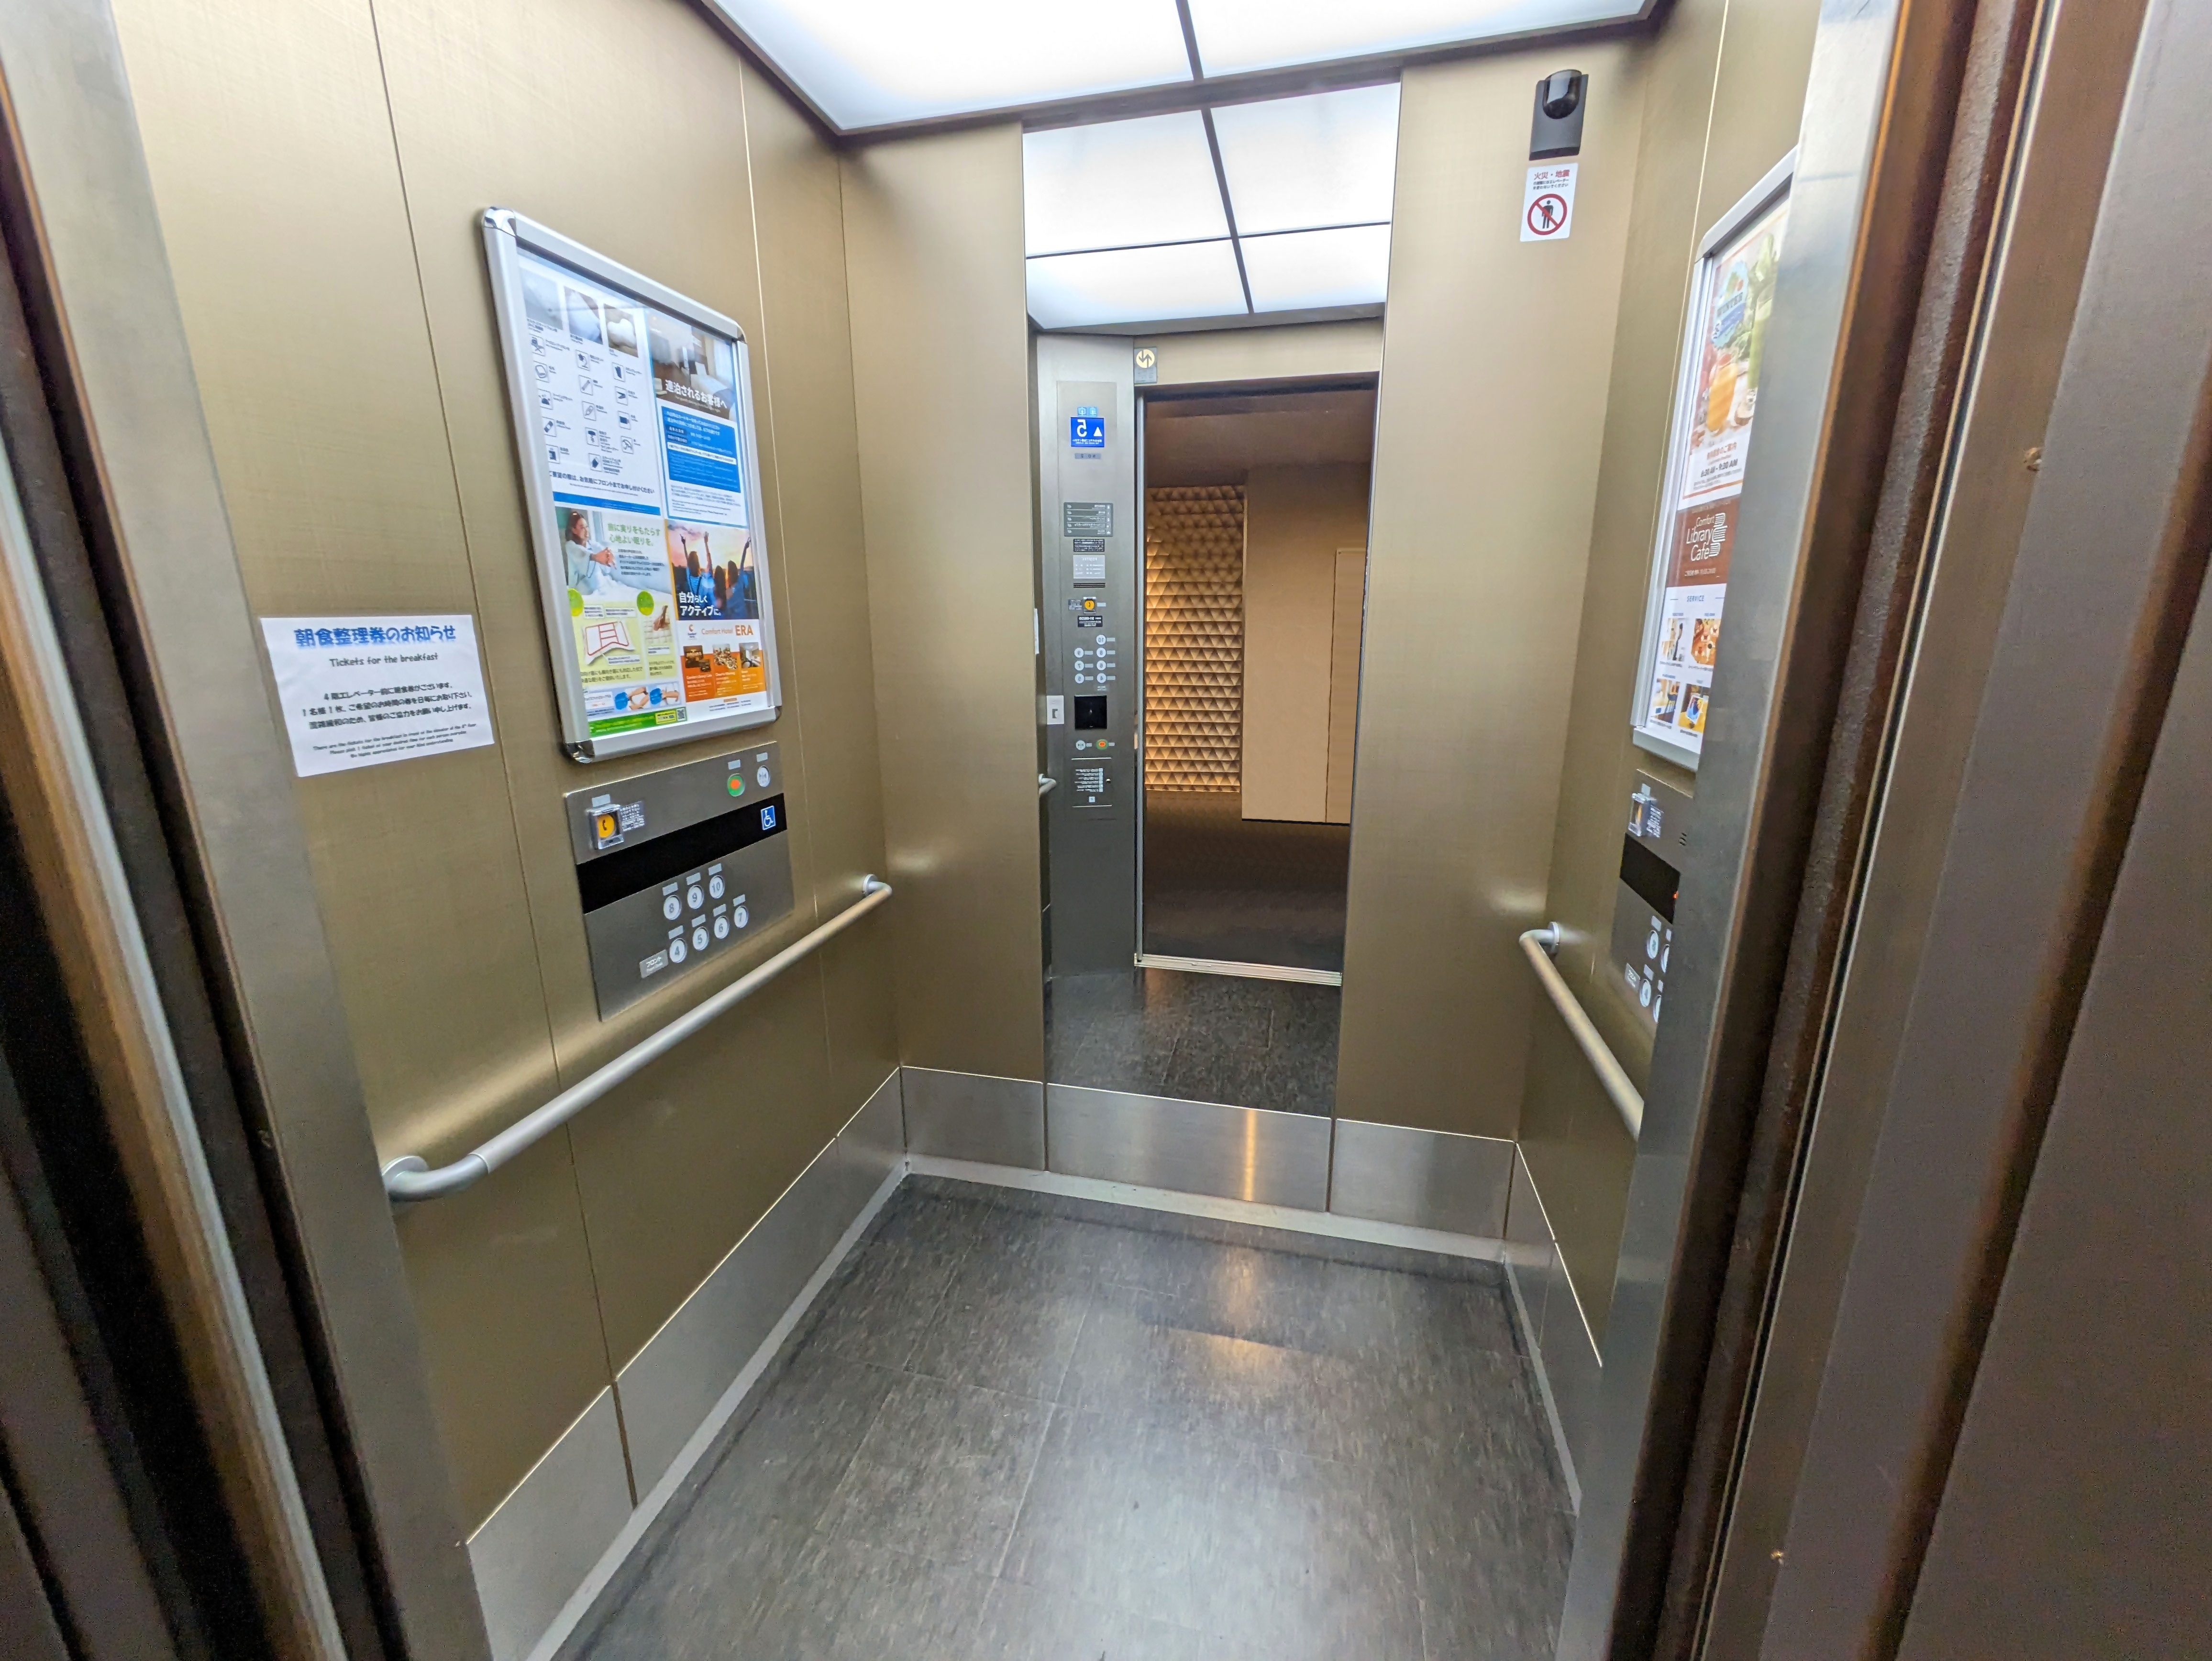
(886, 63)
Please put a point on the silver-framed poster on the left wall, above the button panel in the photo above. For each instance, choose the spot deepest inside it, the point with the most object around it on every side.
(634, 424)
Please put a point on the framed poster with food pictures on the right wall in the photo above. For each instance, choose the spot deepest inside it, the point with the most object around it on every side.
(1709, 446)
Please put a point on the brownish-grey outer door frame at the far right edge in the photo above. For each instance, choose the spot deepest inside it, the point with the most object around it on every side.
(1895, 1302)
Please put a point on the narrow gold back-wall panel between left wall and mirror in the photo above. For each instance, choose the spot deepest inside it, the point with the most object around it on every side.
(941, 382)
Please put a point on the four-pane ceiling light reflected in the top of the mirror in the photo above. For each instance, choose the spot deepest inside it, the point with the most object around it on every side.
(1134, 222)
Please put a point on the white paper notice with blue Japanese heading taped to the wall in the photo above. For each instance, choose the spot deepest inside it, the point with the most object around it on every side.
(359, 691)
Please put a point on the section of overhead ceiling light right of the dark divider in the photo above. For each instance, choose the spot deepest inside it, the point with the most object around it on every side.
(1240, 36)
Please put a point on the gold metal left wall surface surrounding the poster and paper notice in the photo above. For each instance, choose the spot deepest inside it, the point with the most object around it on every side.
(322, 178)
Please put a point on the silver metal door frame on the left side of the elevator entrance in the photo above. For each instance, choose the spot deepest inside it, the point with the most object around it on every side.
(242, 970)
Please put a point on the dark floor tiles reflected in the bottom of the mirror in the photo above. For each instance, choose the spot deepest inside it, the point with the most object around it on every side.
(1202, 1038)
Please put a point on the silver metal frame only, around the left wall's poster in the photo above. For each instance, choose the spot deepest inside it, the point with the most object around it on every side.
(508, 238)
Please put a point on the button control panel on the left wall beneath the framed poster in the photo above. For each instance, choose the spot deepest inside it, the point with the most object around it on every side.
(680, 866)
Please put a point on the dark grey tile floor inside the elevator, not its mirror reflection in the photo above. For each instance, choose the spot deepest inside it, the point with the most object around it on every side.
(1025, 1437)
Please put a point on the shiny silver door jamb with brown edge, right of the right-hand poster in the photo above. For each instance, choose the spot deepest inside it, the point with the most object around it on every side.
(1868, 180)
